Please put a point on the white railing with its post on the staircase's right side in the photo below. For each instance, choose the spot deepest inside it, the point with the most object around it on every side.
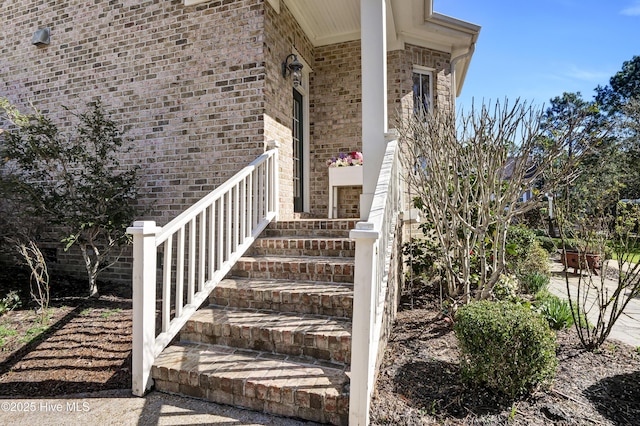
(374, 241)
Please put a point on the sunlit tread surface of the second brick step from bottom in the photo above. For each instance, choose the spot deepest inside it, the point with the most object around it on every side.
(266, 319)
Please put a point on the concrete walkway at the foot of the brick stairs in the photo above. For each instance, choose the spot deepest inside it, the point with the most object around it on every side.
(120, 407)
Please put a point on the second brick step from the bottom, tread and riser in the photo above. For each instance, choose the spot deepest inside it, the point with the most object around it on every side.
(314, 336)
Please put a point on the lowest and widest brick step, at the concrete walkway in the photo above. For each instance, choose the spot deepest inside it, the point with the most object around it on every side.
(269, 383)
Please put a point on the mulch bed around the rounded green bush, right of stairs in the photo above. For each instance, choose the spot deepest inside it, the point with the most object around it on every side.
(419, 381)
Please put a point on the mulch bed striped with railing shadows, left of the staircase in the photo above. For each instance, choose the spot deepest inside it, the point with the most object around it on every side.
(86, 348)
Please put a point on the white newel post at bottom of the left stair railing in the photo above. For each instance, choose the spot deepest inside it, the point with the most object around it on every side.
(144, 297)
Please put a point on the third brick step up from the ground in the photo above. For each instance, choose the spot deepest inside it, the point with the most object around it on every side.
(306, 297)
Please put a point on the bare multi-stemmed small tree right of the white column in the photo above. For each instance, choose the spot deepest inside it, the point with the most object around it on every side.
(469, 177)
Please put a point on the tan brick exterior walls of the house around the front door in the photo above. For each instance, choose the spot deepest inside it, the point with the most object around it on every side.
(199, 89)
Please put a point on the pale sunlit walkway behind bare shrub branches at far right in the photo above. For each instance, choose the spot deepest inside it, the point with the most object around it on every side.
(626, 329)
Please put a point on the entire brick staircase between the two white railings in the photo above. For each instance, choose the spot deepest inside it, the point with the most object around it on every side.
(276, 336)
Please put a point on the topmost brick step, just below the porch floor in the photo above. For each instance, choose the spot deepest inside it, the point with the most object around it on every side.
(338, 228)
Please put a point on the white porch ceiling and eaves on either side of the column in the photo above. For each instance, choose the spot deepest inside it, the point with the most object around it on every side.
(408, 21)
